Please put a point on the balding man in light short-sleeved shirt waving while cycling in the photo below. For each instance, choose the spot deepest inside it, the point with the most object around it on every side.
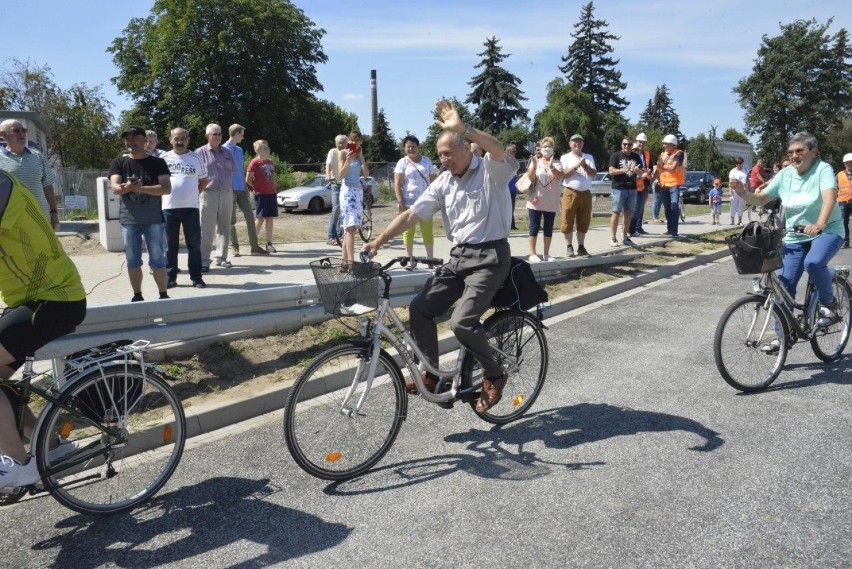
(472, 197)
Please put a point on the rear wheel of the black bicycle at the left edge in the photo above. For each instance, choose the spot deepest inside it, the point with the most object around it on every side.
(133, 423)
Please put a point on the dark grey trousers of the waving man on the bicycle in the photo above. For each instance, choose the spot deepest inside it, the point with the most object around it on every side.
(472, 276)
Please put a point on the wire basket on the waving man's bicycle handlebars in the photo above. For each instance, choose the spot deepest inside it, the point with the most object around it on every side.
(347, 288)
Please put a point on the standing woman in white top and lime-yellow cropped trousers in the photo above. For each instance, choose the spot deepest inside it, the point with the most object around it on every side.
(411, 177)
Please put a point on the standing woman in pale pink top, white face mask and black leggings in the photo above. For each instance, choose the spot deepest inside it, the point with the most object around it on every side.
(544, 197)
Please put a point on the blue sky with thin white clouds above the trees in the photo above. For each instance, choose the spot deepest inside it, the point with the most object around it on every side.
(422, 51)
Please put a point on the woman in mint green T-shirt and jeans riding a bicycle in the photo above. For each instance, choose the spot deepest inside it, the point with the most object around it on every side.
(808, 192)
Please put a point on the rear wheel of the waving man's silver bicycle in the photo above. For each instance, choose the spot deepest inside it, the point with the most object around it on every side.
(521, 348)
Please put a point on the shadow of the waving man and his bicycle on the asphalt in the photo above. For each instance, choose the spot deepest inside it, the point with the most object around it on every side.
(500, 452)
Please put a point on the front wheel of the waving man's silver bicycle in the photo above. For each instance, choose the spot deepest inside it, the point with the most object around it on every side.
(324, 433)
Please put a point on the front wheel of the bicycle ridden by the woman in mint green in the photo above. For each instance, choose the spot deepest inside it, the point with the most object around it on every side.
(743, 344)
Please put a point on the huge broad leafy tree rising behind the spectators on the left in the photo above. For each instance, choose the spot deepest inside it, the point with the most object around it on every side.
(252, 62)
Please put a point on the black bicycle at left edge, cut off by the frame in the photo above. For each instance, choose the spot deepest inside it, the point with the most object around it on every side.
(109, 437)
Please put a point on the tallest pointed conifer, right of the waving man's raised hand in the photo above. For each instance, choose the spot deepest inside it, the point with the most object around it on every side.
(589, 65)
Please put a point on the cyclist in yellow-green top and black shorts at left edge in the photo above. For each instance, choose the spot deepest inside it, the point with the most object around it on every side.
(45, 300)
